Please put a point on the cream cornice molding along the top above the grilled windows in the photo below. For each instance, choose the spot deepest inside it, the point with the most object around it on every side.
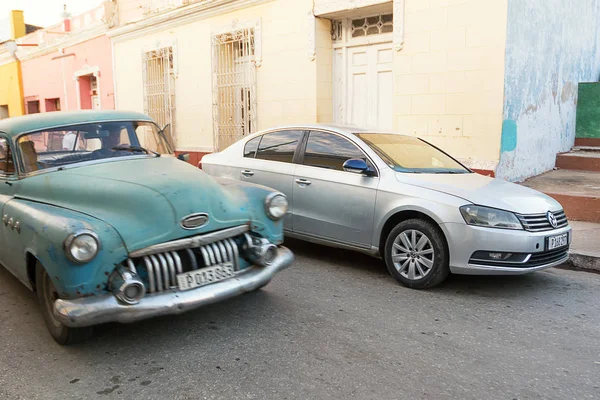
(179, 16)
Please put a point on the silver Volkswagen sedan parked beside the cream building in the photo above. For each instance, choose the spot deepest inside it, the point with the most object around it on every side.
(400, 198)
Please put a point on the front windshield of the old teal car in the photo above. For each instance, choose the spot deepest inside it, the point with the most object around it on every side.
(62, 146)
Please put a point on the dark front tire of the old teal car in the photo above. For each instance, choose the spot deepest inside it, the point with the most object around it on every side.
(47, 294)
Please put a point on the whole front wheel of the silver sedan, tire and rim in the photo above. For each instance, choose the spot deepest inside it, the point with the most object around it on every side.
(416, 254)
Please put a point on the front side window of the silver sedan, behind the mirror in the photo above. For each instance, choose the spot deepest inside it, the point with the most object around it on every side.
(326, 150)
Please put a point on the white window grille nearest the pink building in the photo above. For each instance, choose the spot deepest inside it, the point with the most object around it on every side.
(159, 88)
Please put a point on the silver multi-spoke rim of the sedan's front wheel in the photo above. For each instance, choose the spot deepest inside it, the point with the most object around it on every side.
(413, 254)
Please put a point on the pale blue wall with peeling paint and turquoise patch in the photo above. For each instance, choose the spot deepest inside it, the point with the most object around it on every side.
(551, 46)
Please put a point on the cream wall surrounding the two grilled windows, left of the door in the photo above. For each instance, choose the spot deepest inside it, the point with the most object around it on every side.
(286, 79)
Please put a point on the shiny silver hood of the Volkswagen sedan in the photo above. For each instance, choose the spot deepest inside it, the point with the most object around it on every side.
(485, 191)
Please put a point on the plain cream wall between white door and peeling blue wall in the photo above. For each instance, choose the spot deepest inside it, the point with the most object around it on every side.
(449, 77)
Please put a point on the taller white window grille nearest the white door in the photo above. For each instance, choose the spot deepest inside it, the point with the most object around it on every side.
(234, 86)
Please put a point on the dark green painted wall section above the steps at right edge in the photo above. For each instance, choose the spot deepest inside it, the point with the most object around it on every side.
(588, 111)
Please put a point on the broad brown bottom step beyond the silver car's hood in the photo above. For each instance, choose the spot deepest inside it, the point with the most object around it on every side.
(577, 191)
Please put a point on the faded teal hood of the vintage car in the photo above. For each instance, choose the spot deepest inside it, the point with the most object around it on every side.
(144, 199)
